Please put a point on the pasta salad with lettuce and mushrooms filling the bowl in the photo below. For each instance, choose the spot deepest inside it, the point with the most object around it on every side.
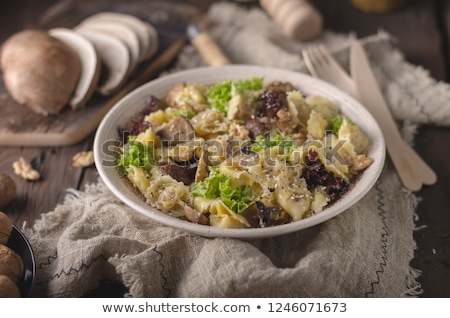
(242, 154)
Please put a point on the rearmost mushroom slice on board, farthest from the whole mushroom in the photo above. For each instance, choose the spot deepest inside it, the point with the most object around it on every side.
(144, 31)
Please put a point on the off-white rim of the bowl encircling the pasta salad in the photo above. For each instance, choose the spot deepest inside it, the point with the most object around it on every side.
(210, 73)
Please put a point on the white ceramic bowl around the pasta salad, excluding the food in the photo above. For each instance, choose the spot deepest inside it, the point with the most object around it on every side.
(135, 101)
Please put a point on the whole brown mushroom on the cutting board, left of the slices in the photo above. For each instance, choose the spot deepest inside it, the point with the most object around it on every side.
(39, 71)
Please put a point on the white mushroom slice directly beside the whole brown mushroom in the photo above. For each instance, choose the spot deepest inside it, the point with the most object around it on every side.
(90, 65)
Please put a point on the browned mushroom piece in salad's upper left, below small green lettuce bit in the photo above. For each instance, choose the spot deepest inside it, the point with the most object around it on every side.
(176, 131)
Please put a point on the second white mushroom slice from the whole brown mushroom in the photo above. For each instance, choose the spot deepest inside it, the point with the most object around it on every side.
(115, 60)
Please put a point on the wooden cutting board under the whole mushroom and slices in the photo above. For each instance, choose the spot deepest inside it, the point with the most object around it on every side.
(20, 126)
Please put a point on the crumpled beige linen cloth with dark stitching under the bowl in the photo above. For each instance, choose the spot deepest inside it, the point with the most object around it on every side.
(363, 252)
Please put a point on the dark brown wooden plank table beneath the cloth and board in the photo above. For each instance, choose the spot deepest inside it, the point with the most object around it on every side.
(422, 29)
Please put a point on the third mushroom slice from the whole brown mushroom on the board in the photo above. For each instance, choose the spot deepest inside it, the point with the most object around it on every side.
(121, 31)
